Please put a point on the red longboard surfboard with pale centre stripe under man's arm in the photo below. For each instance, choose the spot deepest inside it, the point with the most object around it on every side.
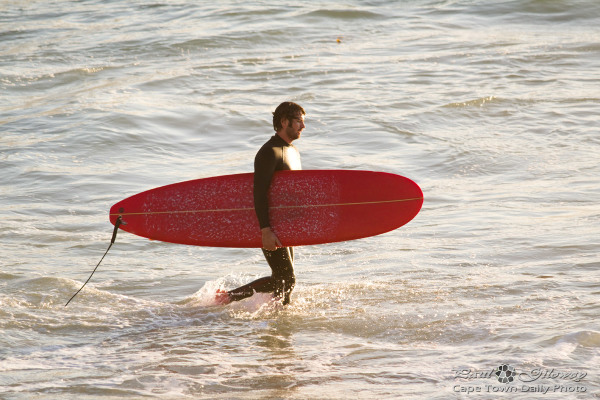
(305, 207)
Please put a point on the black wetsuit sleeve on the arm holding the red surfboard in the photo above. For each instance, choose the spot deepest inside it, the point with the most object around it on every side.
(264, 168)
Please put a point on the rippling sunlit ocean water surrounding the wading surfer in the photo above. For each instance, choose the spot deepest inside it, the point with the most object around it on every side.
(490, 106)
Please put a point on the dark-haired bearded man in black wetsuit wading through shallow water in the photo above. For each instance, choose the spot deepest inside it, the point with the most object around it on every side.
(277, 154)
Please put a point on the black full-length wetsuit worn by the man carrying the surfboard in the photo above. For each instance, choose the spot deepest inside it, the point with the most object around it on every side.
(275, 155)
